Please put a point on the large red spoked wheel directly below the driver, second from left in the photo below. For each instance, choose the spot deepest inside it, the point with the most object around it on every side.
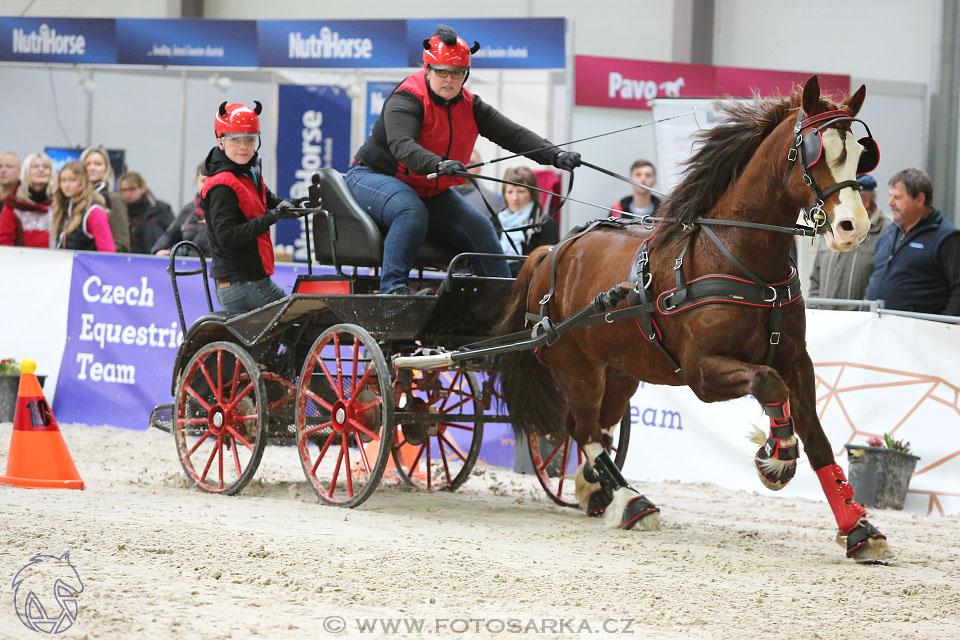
(344, 415)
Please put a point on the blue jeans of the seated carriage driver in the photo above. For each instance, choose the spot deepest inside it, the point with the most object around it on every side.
(407, 220)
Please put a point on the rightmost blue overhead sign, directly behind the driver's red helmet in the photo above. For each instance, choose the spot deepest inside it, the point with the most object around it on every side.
(506, 43)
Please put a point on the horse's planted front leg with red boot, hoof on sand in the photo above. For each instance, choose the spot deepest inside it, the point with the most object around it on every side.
(863, 541)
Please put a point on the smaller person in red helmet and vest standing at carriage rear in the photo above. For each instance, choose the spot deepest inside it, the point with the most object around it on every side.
(239, 210)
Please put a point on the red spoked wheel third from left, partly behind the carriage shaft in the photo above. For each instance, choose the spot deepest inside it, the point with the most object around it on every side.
(438, 455)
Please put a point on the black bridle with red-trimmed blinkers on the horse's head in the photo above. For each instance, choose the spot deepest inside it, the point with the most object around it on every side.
(808, 148)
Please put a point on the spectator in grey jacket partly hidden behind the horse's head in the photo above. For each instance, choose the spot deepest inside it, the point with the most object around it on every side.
(846, 274)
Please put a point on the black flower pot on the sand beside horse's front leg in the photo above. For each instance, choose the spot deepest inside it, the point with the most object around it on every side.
(879, 476)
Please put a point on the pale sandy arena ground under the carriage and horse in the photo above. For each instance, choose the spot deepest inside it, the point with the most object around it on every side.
(161, 560)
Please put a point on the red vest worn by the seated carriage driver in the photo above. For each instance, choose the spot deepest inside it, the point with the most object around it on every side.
(448, 131)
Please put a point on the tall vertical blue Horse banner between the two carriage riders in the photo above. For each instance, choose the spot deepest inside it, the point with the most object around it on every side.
(313, 132)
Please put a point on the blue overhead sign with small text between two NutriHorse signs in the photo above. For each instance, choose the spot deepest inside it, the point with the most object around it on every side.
(212, 43)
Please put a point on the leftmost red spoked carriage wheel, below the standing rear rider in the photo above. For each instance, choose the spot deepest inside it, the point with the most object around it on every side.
(219, 419)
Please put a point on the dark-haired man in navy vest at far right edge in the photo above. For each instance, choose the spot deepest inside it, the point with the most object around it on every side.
(917, 263)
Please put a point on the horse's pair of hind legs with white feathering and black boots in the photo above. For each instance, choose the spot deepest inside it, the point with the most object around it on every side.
(602, 402)
